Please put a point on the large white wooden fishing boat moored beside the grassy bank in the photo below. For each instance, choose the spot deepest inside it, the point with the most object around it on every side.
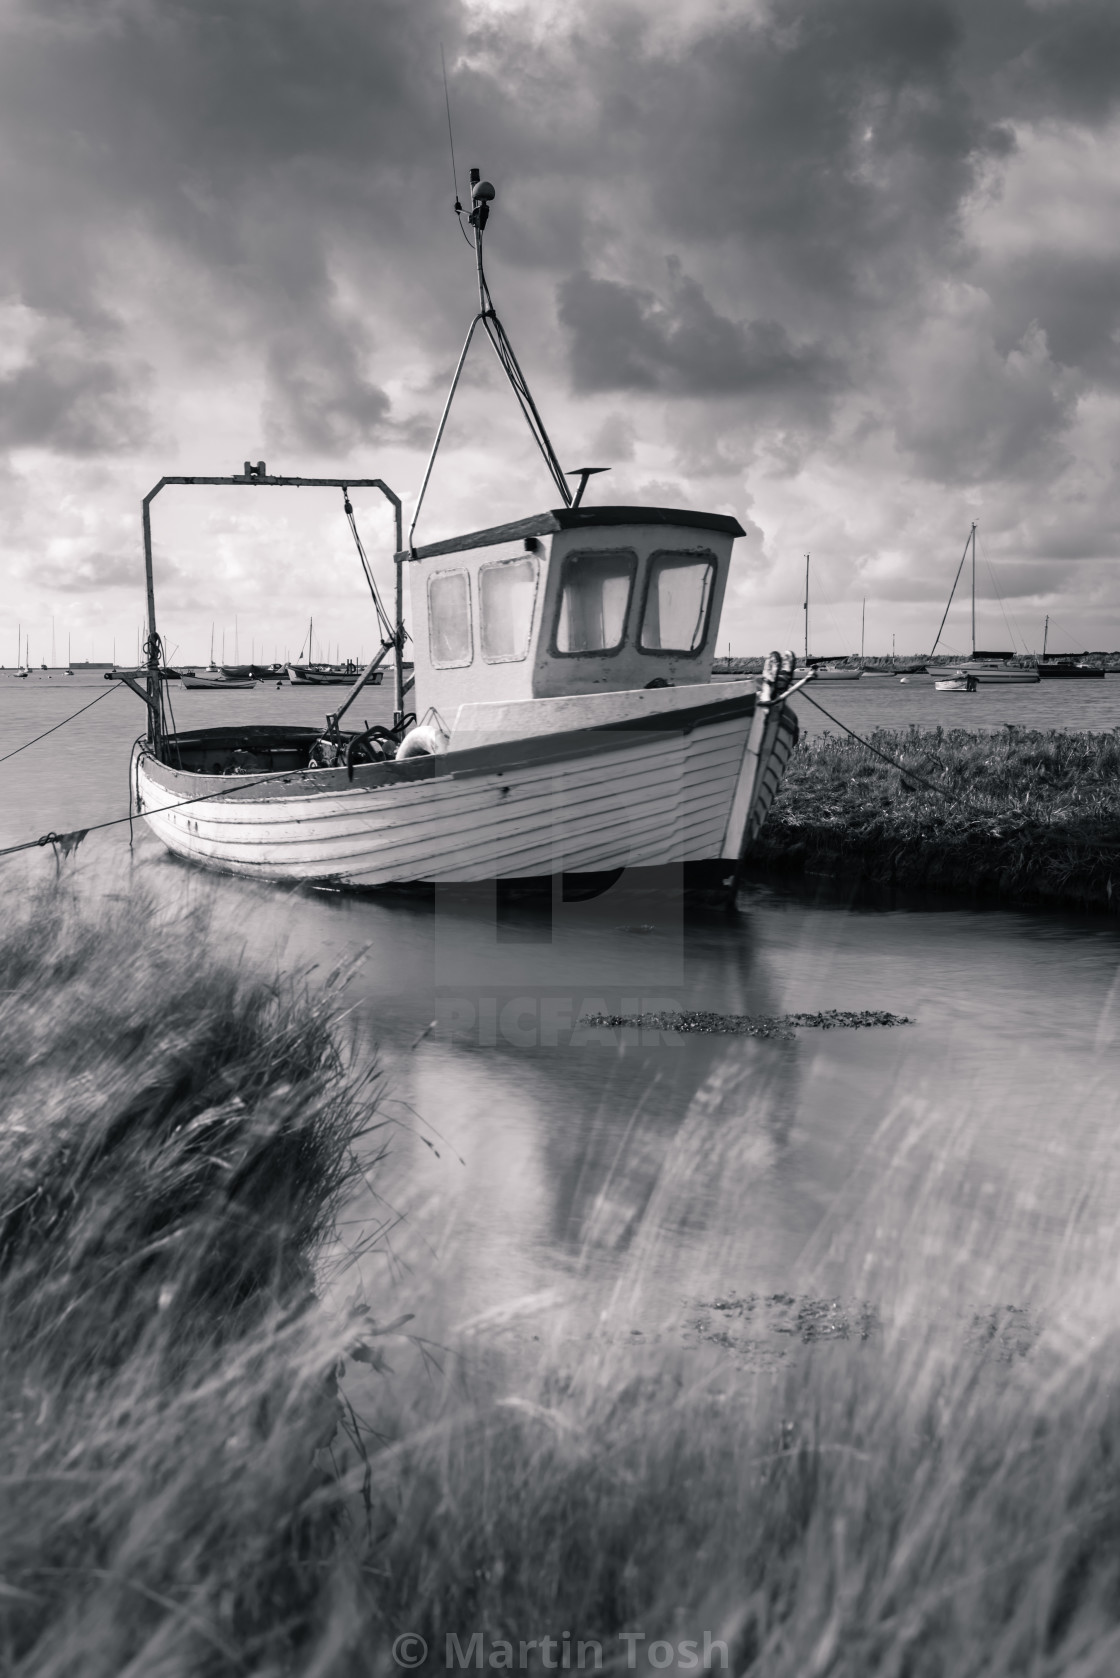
(565, 717)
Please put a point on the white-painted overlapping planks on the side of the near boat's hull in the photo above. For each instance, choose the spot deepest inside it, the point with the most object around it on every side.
(642, 801)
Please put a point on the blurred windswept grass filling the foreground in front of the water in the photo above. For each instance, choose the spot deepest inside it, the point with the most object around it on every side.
(206, 1472)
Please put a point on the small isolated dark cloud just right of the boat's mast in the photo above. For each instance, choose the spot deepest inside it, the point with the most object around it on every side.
(629, 338)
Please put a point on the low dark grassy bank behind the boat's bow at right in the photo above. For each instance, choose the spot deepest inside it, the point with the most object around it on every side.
(1023, 816)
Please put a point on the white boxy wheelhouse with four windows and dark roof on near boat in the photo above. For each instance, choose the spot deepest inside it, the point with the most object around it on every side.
(582, 600)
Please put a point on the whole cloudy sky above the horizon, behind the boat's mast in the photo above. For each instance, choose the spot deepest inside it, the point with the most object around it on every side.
(849, 269)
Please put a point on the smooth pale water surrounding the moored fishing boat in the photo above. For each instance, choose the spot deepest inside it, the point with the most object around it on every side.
(970, 1159)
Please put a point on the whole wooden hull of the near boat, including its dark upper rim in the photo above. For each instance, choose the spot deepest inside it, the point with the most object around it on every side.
(681, 786)
